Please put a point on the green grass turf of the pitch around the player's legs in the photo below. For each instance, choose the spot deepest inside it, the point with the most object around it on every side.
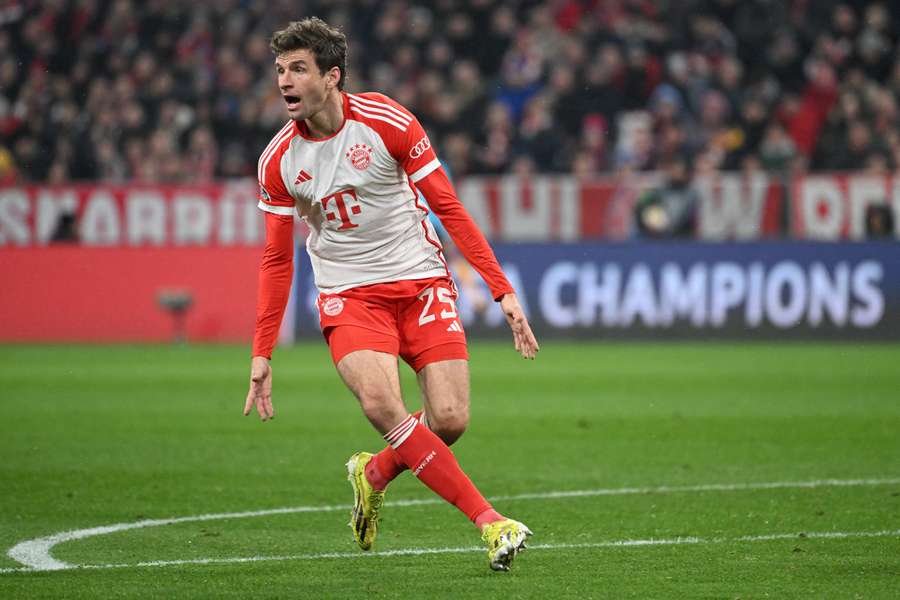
(96, 435)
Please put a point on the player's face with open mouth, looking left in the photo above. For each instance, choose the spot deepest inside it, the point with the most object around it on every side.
(302, 85)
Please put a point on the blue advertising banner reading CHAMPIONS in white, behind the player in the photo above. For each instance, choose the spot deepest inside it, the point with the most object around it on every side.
(682, 290)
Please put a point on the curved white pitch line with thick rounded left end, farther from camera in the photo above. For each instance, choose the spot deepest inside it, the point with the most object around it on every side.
(35, 554)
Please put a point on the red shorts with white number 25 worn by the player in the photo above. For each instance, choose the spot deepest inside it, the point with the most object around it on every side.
(414, 319)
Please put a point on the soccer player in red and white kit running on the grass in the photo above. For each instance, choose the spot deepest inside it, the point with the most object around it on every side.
(349, 165)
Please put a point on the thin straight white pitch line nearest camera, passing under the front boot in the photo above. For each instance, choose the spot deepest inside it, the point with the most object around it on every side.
(799, 537)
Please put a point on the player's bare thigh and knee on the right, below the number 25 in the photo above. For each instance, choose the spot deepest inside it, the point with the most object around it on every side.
(445, 390)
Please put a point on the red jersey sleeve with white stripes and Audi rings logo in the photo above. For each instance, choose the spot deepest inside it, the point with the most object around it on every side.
(407, 143)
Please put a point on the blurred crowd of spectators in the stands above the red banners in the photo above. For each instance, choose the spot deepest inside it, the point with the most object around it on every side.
(167, 91)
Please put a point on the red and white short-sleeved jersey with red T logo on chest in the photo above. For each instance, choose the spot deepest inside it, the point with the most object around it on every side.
(355, 191)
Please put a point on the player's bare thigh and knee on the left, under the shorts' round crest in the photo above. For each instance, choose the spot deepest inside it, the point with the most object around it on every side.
(373, 378)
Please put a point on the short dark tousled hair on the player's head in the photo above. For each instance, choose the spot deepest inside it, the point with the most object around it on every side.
(327, 43)
